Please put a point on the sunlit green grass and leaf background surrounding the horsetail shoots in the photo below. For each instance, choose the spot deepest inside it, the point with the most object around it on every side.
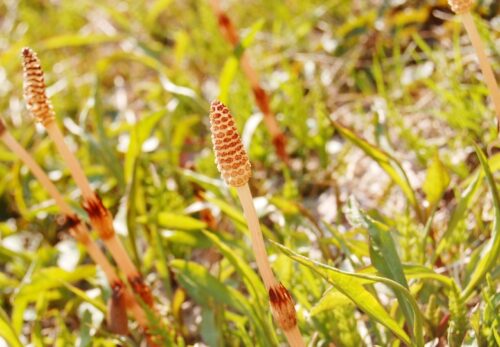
(381, 102)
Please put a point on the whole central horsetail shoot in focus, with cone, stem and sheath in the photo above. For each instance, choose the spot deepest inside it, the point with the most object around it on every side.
(234, 166)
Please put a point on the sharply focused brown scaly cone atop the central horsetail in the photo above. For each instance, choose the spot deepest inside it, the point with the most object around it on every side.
(230, 156)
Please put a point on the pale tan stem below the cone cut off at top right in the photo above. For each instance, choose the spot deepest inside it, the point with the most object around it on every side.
(484, 64)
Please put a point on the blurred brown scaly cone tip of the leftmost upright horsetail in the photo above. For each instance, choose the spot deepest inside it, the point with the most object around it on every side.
(34, 88)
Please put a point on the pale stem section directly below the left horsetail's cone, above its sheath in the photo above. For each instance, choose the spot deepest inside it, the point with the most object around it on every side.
(73, 164)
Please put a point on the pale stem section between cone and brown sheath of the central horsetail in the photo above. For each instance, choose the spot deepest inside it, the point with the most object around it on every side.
(258, 245)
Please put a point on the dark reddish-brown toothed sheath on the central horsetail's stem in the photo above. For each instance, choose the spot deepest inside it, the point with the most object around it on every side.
(282, 307)
